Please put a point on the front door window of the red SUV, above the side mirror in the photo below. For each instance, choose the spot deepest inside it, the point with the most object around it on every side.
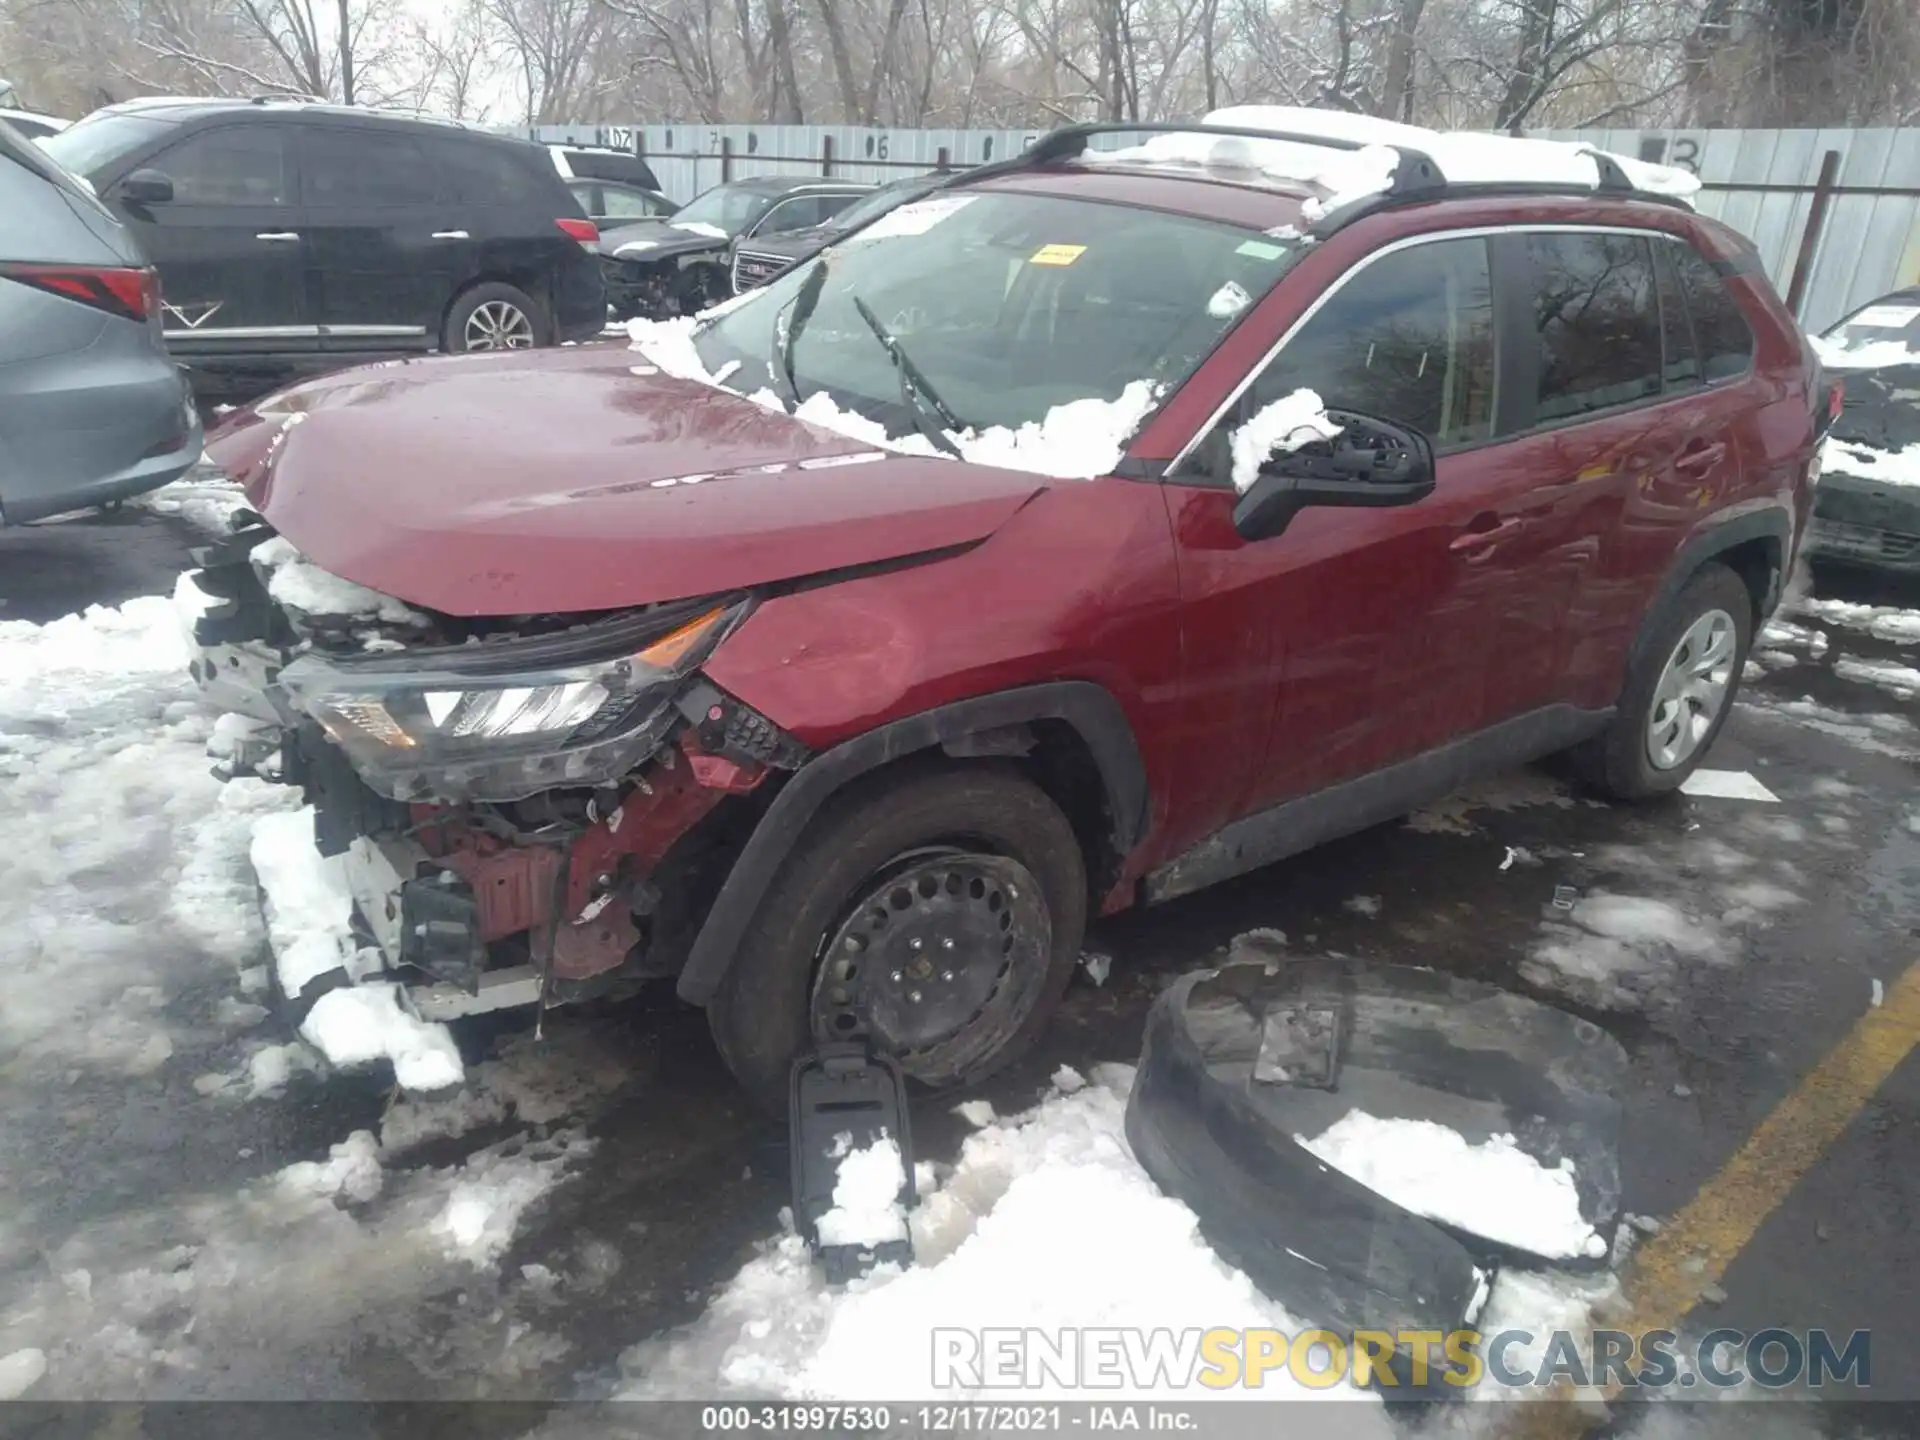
(1408, 339)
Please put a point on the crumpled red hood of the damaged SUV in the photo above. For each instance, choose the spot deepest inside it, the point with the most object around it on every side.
(565, 481)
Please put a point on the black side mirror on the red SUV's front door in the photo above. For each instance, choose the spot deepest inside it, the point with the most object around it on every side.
(1370, 464)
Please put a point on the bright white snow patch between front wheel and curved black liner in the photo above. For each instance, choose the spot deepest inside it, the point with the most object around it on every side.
(1026, 1232)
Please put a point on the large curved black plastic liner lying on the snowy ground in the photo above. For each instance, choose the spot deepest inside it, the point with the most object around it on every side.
(1214, 1132)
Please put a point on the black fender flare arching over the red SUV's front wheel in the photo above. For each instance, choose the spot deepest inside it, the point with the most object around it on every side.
(1092, 709)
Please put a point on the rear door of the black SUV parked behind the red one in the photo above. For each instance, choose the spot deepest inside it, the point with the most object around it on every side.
(387, 251)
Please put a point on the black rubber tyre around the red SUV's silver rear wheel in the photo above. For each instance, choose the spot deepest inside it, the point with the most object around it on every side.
(1618, 761)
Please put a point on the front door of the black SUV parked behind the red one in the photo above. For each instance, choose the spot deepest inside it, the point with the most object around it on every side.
(231, 245)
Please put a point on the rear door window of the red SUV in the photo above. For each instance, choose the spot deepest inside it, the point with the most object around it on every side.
(1598, 320)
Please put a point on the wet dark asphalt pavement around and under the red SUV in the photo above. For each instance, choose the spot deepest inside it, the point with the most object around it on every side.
(686, 1178)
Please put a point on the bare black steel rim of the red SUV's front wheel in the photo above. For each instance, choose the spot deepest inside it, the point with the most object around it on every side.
(936, 961)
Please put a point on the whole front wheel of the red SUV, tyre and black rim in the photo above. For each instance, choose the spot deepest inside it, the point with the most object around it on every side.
(936, 917)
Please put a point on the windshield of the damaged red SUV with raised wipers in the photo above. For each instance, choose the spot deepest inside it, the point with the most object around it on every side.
(1005, 304)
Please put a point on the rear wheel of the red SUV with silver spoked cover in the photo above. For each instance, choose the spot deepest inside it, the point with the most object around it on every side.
(1679, 692)
